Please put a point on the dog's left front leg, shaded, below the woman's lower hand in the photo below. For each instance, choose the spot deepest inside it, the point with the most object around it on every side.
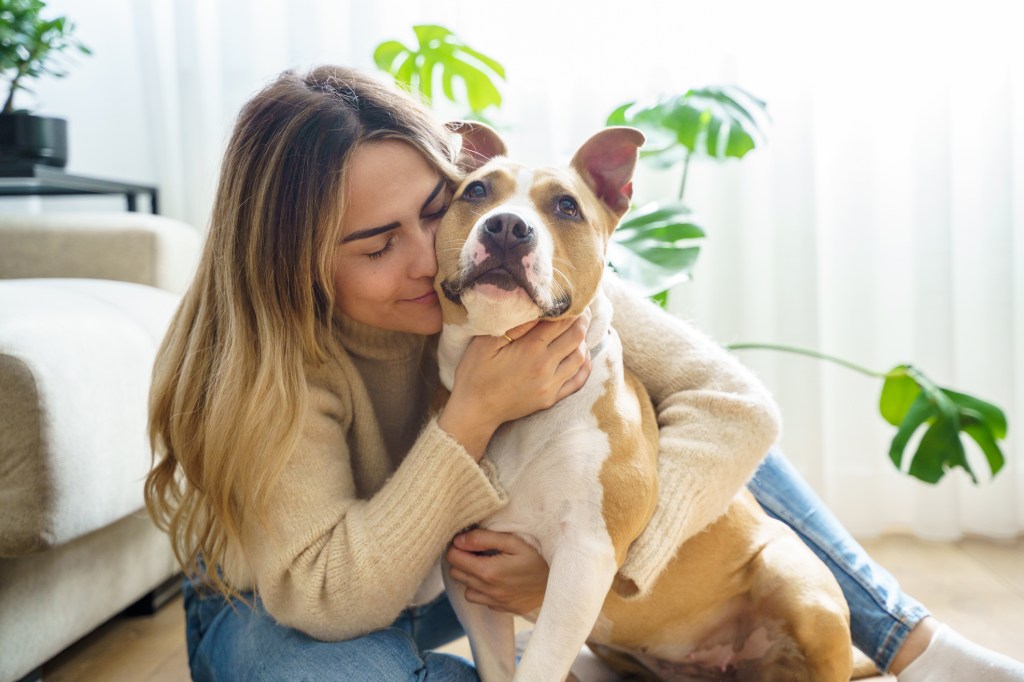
(492, 634)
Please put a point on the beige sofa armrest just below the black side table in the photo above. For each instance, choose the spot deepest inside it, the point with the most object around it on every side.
(142, 248)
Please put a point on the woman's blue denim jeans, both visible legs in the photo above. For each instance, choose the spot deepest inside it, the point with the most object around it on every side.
(233, 641)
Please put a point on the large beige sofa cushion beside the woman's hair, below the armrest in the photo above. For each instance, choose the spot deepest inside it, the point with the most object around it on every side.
(76, 358)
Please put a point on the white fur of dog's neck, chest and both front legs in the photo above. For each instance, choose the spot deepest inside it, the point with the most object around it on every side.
(550, 466)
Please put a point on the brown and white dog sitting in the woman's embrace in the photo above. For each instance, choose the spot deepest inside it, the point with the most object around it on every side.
(744, 601)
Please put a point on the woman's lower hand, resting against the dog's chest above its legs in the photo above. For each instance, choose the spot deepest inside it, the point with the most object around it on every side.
(510, 578)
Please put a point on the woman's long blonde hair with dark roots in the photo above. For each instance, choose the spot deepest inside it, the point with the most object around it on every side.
(229, 393)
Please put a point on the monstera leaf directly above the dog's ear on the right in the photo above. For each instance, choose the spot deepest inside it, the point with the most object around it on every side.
(716, 121)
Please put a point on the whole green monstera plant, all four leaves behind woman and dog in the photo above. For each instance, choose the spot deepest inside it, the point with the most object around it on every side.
(657, 245)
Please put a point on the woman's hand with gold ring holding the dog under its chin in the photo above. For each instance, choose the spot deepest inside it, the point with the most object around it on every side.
(498, 381)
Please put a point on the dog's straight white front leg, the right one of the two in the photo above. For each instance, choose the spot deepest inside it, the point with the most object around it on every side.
(579, 580)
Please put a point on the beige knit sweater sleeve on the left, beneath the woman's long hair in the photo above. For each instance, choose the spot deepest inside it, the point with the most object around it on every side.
(336, 567)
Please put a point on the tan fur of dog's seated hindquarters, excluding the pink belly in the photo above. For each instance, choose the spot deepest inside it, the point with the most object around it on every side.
(744, 563)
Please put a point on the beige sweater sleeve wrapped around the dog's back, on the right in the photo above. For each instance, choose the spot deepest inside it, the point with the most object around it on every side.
(716, 422)
